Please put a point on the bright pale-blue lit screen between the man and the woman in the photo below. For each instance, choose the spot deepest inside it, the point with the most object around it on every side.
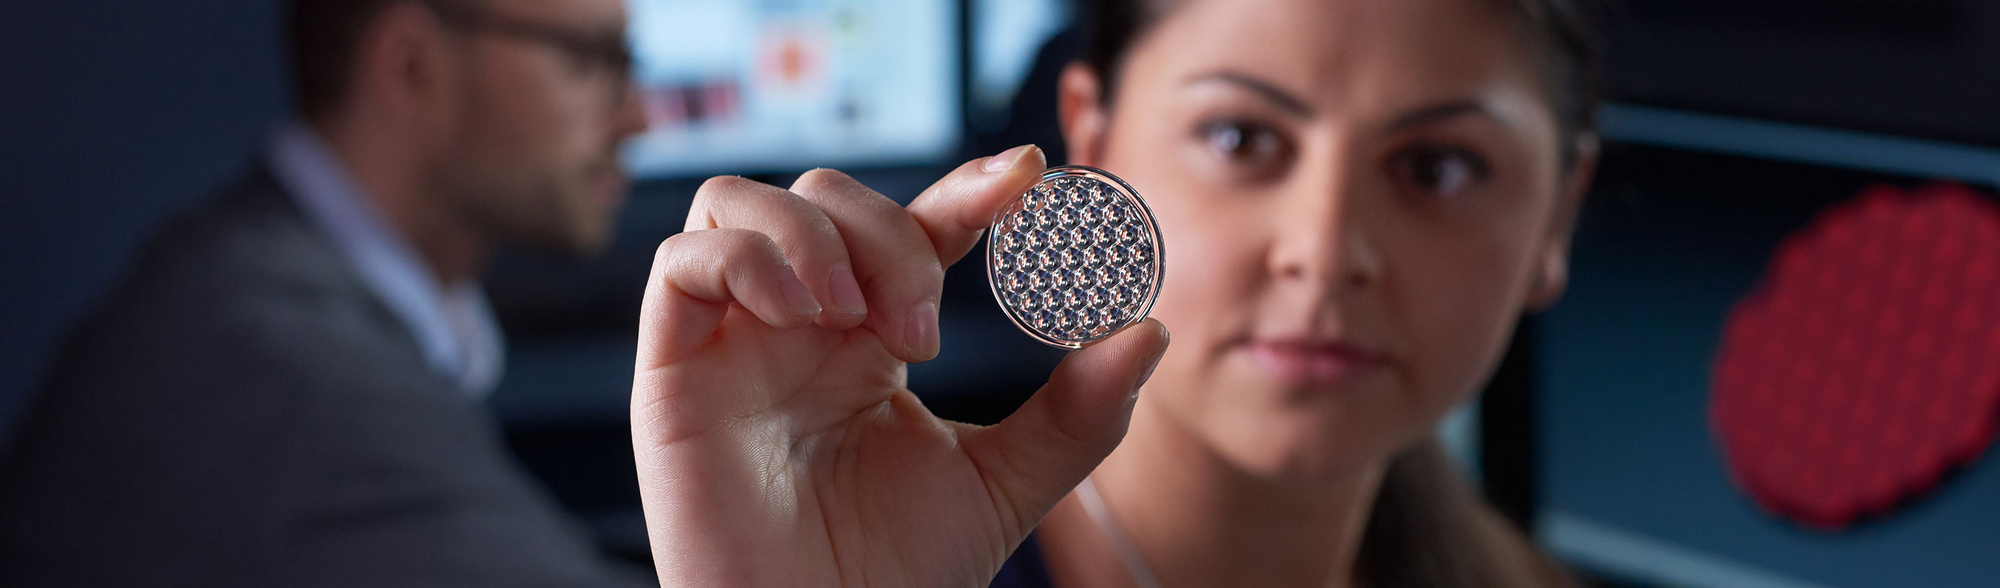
(771, 87)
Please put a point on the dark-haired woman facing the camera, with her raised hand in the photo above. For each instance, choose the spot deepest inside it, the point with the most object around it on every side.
(1361, 199)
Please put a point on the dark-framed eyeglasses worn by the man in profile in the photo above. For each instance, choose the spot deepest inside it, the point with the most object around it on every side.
(589, 51)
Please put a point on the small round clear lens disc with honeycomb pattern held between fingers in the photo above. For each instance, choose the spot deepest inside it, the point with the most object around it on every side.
(1075, 259)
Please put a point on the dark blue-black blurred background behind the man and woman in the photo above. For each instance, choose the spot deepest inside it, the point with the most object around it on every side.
(1733, 123)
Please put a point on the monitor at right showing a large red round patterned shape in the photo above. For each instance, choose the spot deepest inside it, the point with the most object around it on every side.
(1653, 469)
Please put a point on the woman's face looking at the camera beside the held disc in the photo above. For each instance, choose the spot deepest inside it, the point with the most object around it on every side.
(1359, 199)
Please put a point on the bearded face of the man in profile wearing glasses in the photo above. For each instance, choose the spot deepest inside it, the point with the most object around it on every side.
(533, 157)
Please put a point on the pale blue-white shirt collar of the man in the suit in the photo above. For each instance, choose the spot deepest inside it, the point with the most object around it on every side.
(451, 323)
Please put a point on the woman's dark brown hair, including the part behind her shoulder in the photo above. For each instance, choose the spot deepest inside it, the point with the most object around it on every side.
(1429, 529)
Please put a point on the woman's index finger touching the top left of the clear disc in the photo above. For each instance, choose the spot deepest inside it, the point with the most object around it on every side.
(961, 207)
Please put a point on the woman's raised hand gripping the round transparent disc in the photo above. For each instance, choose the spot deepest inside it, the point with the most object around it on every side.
(777, 443)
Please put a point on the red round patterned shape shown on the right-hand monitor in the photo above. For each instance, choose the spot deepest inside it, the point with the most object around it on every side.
(1867, 365)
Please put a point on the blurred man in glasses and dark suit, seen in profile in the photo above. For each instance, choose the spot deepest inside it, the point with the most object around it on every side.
(285, 393)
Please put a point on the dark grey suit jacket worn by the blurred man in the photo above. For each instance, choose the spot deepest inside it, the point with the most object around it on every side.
(245, 413)
